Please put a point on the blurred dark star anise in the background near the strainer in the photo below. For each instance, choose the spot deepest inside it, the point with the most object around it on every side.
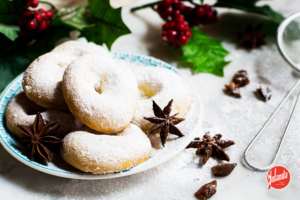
(251, 37)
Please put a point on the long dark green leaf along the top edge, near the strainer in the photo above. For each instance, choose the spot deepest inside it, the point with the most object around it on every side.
(249, 6)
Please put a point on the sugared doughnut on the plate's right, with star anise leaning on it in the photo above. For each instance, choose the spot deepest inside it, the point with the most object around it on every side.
(160, 85)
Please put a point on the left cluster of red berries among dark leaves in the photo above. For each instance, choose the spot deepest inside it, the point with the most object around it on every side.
(35, 21)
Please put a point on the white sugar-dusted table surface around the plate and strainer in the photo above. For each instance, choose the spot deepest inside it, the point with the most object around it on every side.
(236, 119)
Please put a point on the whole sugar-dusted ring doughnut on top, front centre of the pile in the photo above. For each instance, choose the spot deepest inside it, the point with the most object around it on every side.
(100, 94)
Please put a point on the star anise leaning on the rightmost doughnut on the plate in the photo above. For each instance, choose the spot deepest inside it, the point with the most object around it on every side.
(164, 122)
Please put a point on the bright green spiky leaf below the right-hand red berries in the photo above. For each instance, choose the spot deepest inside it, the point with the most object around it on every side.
(204, 53)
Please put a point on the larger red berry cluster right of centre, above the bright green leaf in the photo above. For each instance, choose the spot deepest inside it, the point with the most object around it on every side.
(179, 18)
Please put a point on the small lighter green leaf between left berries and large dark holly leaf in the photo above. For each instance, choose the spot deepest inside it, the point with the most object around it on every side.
(80, 20)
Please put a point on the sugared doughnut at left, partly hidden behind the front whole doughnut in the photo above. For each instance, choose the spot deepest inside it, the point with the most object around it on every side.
(42, 80)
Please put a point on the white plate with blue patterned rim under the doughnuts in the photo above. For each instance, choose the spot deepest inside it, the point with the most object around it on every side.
(59, 168)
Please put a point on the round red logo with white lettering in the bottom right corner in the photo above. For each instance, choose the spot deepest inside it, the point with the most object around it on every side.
(278, 177)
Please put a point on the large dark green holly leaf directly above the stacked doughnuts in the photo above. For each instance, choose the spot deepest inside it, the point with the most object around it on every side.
(108, 24)
